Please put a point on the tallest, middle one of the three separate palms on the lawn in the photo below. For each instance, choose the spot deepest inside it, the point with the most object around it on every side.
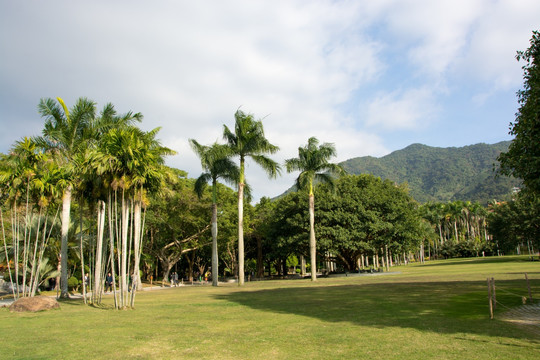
(248, 140)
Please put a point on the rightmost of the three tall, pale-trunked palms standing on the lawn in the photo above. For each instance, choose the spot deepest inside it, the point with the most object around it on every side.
(312, 162)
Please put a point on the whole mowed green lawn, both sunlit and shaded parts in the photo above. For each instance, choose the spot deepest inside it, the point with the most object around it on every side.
(437, 310)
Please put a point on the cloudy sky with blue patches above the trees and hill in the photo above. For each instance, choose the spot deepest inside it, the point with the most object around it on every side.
(371, 77)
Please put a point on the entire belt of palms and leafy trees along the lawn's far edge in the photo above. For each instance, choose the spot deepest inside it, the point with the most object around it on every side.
(92, 196)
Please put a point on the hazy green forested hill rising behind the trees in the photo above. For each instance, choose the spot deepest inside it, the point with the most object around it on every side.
(441, 174)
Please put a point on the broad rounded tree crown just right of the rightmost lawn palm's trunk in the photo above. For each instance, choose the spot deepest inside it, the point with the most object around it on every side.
(364, 215)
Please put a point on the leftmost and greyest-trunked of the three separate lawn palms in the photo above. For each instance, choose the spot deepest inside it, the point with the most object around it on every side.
(216, 162)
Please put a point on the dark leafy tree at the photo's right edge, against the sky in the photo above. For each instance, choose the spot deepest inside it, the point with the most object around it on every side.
(522, 159)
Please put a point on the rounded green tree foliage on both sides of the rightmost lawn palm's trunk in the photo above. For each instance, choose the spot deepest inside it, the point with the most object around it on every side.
(361, 215)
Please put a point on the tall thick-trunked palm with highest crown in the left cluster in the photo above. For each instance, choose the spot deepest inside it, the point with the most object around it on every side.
(66, 133)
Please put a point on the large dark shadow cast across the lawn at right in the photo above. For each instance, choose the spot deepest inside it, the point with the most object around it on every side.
(442, 307)
